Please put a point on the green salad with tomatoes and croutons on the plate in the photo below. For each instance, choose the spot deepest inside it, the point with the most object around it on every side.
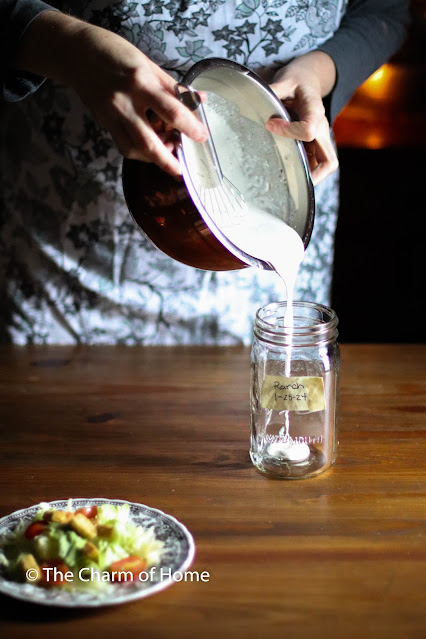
(79, 548)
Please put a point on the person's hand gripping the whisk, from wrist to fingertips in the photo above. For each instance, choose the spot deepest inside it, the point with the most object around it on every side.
(124, 89)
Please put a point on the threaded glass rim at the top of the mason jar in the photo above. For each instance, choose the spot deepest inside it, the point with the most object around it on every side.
(323, 328)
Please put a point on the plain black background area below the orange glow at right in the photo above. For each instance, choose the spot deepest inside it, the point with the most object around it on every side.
(379, 287)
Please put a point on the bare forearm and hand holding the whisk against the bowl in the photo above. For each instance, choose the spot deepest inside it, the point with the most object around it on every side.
(127, 93)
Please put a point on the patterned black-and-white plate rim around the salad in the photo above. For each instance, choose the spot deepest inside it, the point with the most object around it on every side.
(177, 556)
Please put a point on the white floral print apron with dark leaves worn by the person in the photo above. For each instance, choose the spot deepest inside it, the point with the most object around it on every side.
(74, 268)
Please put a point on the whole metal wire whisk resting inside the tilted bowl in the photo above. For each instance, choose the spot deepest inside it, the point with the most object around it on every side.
(222, 200)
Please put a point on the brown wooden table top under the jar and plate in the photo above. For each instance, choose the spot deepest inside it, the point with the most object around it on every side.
(338, 556)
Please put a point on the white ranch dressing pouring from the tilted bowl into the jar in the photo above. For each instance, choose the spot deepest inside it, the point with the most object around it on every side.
(256, 232)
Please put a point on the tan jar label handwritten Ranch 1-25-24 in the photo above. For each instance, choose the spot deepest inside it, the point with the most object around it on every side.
(293, 393)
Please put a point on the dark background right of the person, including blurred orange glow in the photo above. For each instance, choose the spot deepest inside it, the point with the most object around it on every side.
(379, 287)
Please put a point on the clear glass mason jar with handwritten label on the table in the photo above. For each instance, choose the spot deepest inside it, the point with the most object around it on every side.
(294, 391)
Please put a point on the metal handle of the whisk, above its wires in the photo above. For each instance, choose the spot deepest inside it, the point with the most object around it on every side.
(191, 99)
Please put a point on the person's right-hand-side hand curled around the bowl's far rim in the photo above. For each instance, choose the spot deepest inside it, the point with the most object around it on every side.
(301, 85)
